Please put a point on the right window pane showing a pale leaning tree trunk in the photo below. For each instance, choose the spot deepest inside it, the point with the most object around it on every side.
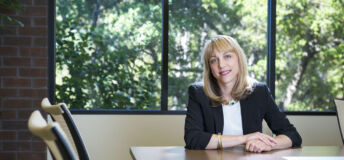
(310, 61)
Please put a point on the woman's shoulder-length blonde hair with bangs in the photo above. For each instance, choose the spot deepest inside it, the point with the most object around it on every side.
(243, 85)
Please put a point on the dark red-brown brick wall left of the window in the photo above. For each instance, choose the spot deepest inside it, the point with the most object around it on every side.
(23, 80)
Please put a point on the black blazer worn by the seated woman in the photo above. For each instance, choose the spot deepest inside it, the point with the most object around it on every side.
(202, 120)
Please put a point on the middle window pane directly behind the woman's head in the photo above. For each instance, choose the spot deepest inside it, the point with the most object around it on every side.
(192, 23)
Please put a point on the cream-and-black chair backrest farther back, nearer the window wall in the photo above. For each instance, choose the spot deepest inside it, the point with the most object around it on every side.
(61, 114)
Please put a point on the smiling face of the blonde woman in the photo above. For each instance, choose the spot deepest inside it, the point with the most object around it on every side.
(224, 67)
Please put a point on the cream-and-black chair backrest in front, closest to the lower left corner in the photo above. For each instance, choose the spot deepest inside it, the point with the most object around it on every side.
(52, 135)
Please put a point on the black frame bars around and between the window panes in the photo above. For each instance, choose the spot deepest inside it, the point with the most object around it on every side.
(271, 56)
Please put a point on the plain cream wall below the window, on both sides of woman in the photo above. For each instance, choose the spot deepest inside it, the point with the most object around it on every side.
(110, 136)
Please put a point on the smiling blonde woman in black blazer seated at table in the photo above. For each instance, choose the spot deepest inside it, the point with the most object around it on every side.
(228, 109)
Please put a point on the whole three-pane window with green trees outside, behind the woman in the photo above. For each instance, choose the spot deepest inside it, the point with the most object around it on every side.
(110, 54)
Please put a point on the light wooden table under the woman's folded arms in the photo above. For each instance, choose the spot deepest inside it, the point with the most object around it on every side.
(180, 153)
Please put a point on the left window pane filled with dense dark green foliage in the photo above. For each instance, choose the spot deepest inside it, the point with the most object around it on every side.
(108, 54)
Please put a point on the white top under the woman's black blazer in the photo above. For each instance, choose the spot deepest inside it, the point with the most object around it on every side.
(232, 119)
